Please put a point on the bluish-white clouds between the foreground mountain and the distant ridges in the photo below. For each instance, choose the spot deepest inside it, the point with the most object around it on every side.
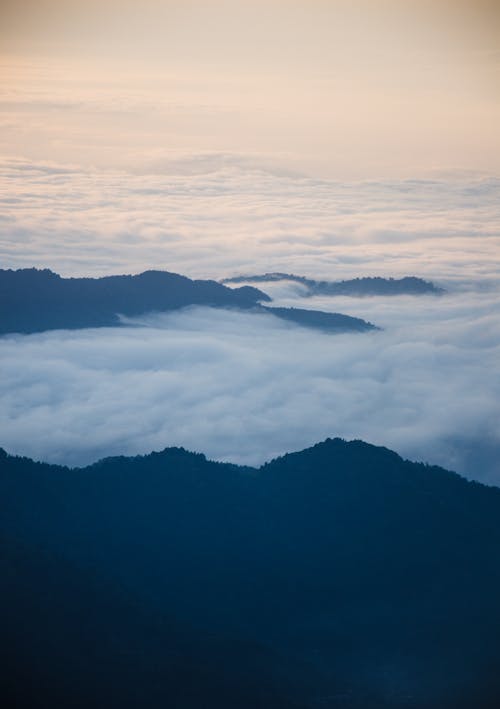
(245, 388)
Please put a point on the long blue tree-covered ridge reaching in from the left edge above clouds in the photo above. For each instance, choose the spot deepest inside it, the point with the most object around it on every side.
(34, 300)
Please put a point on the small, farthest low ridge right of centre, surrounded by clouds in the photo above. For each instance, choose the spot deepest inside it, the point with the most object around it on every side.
(409, 285)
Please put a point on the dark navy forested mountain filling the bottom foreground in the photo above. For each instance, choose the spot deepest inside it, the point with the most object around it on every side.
(340, 576)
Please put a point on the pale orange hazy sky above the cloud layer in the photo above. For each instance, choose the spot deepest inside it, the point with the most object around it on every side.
(344, 89)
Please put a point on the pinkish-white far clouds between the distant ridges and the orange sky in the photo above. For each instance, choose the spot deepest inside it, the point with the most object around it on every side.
(216, 215)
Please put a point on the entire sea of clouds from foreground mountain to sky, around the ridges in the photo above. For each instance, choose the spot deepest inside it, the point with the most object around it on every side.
(248, 387)
